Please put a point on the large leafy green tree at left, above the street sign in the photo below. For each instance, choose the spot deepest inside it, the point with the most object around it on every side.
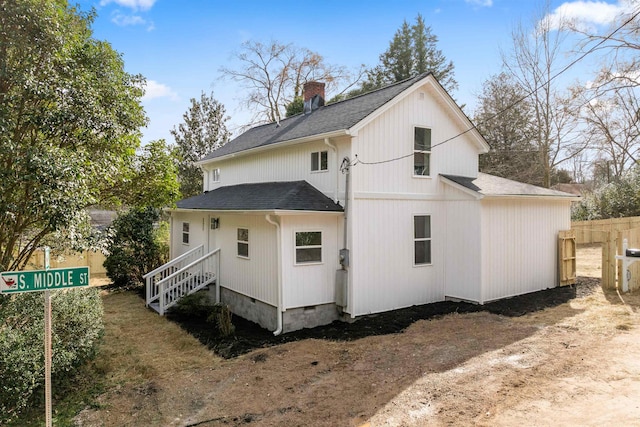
(69, 123)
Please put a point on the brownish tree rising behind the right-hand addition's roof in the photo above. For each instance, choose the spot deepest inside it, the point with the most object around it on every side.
(503, 119)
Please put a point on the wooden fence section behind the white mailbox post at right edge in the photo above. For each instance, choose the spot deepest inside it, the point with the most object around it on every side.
(612, 271)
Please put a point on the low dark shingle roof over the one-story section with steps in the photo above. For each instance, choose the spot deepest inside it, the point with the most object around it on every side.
(264, 196)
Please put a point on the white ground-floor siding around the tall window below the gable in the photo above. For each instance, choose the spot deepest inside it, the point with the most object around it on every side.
(382, 273)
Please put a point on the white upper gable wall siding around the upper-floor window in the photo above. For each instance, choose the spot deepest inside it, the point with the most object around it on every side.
(391, 136)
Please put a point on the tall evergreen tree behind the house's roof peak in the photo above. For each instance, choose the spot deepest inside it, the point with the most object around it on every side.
(412, 51)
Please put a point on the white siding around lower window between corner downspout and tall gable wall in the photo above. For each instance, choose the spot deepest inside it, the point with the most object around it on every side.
(312, 284)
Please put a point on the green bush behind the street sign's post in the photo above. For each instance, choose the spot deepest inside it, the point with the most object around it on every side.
(77, 325)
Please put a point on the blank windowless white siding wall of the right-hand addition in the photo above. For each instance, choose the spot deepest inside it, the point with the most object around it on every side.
(519, 245)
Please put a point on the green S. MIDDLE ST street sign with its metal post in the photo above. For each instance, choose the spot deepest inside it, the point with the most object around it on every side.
(12, 282)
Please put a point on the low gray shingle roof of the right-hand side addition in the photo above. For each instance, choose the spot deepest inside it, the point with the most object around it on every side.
(490, 185)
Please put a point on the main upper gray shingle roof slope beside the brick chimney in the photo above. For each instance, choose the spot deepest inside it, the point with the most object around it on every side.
(333, 117)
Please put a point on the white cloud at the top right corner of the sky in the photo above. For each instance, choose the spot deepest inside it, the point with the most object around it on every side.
(585, 14)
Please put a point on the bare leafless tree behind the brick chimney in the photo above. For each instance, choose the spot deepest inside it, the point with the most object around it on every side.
(275, 73)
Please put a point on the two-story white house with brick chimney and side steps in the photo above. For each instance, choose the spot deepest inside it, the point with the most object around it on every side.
(362, 206)
